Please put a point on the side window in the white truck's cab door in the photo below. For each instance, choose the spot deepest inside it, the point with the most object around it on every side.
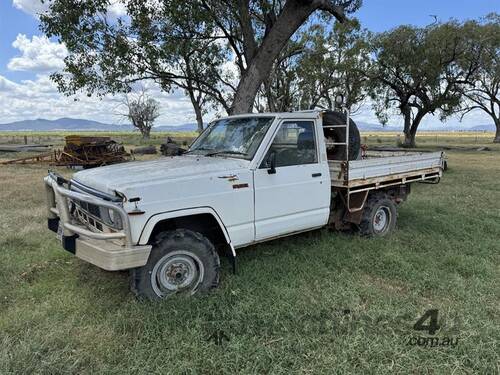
(294, 144)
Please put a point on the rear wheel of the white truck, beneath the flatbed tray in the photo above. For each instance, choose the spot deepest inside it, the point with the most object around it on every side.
(379, 216)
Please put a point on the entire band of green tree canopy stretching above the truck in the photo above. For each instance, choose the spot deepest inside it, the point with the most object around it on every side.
(275, 54)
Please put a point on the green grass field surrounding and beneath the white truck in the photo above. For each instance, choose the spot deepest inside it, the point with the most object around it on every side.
(316, 303)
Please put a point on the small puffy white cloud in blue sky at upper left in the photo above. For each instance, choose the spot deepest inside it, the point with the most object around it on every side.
(37, 55)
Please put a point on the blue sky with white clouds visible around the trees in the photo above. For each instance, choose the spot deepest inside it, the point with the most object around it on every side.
(27, 58)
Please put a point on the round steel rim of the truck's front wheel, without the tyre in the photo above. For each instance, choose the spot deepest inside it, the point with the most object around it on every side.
(177, 272)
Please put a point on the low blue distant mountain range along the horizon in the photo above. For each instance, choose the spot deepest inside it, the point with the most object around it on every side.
(71, 124)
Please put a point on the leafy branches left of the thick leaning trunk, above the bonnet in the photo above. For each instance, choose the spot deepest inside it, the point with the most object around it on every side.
(169, 43)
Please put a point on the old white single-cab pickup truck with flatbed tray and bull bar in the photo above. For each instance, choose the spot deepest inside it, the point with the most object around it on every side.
(246, 179)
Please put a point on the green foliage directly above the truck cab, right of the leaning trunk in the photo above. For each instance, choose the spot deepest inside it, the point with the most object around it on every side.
(316, 66)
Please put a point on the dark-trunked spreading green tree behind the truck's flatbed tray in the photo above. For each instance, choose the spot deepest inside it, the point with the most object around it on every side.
(417, 71)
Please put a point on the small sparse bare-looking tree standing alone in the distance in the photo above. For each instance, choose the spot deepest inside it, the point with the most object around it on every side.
(142, 111)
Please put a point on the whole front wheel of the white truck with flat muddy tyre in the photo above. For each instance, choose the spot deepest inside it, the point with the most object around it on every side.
(181, 261)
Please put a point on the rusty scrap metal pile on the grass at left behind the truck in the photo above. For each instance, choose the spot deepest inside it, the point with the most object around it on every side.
(80, 151)
